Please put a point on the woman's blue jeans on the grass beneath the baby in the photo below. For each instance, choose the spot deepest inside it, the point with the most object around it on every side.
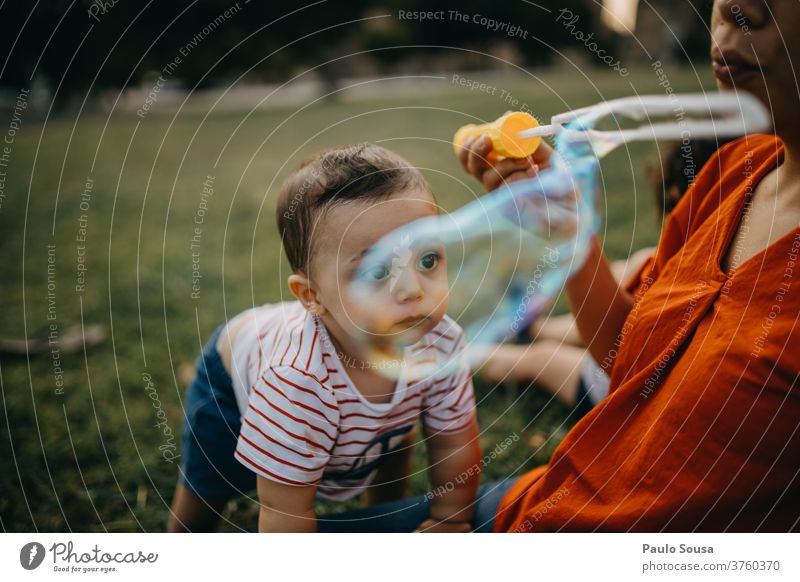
(405, 515)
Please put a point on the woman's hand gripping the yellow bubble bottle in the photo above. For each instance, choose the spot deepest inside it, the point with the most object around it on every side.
(476, 161)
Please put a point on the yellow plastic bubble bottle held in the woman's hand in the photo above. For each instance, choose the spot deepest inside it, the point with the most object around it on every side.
(504, 135)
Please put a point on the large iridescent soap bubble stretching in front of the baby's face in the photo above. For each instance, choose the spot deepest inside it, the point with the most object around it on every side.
(503, 258)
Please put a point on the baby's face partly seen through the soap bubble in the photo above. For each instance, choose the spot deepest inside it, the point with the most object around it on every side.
(407, 298)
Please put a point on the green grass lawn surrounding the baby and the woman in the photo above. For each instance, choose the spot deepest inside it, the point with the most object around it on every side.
(88, 459)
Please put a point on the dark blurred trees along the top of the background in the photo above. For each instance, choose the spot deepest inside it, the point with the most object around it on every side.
(84, 46)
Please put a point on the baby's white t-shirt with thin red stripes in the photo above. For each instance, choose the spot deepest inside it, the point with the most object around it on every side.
(303, 420)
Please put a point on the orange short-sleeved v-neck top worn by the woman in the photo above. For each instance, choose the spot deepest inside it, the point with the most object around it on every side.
(701, 428)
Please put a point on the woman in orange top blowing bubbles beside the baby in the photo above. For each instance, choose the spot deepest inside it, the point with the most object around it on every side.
(700, 431)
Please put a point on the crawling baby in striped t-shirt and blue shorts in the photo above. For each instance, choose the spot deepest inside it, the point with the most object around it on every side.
(289, 398)
